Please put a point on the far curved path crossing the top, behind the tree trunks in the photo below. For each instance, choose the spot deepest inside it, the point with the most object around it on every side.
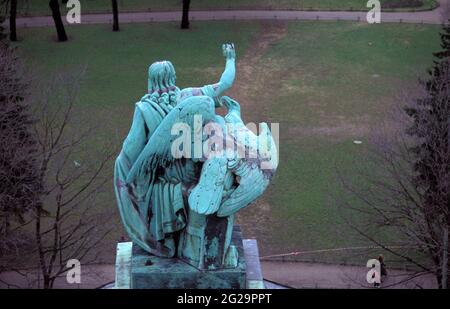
(427, 17)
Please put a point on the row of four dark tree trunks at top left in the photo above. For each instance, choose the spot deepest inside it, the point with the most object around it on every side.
(11, 7)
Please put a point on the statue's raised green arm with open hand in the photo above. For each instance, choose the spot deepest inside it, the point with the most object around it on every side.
(226, 80)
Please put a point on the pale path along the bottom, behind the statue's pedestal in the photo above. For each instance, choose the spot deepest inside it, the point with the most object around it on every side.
(293, 274)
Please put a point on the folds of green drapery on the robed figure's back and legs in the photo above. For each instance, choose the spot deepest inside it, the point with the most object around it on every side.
(163, 199)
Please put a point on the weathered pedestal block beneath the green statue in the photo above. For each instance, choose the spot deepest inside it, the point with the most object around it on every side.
(136, 269)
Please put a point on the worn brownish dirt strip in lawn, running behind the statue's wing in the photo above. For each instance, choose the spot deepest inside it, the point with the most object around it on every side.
(253, 80)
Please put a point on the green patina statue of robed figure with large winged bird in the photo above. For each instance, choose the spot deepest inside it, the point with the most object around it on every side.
(176, 188)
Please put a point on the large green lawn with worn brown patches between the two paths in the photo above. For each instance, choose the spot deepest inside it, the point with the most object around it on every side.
(326, 83)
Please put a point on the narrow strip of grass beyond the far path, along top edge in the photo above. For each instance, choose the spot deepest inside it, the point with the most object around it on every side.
(40, 7)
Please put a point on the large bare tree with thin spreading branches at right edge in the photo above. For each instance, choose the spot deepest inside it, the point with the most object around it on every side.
(403, 185)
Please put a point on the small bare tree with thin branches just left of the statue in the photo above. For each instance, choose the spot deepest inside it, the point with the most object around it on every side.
(71, 226)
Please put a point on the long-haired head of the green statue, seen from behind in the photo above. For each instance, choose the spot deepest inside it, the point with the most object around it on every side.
(161, 77)
